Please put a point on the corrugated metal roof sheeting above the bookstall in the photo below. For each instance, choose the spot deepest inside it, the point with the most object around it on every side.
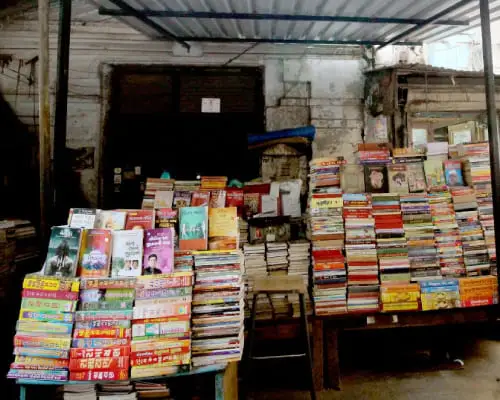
(304, 30)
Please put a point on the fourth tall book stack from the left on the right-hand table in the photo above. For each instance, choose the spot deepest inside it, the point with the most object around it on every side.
(419, 232)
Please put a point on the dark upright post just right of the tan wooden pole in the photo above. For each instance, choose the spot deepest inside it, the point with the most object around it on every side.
(61, 112)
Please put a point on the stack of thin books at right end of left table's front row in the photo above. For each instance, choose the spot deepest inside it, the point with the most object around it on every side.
(217, 308)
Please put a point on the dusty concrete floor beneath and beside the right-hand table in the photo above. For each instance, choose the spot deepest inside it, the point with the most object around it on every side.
(478, 380)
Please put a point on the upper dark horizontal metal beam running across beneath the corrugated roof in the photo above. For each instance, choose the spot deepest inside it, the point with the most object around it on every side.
(276, 17)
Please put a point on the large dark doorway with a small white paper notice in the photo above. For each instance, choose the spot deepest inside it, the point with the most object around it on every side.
(155, 122)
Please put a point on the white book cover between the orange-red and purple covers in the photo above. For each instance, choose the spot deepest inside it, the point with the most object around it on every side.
(127, 253)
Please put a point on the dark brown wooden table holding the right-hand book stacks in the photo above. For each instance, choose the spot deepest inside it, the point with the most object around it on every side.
(326, 333)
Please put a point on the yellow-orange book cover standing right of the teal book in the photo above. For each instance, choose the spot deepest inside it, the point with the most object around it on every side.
(223, 232)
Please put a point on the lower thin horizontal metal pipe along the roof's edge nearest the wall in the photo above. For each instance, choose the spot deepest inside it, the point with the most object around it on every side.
(292, 41)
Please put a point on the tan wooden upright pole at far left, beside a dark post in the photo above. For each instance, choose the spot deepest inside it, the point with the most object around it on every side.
(44, 147)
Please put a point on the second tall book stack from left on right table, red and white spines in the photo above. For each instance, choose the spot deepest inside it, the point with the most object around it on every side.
(360, 241)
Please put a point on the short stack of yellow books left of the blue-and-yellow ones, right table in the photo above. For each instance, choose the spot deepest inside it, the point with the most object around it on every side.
(399, 297)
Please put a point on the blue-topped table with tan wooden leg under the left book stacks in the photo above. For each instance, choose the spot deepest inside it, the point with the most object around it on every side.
(226, 380)
